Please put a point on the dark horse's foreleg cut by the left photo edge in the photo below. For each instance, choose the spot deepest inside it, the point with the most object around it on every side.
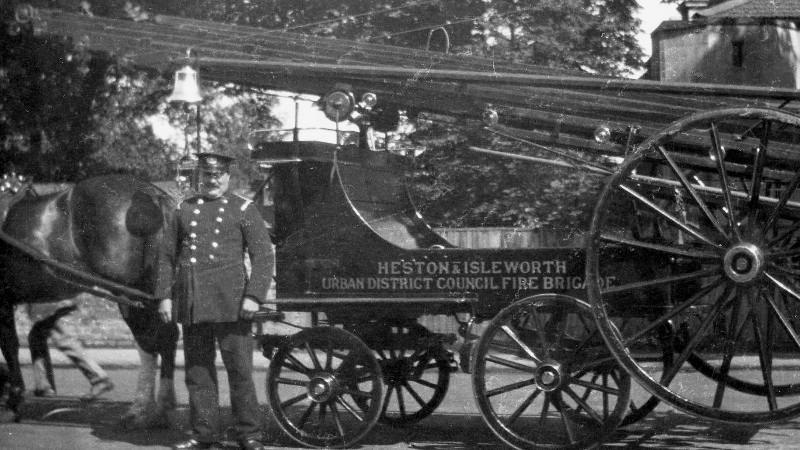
(9, 344)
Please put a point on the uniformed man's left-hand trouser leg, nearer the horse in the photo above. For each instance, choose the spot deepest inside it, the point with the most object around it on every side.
(201, 381)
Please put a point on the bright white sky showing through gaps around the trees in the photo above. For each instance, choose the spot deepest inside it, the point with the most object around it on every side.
(652, 13)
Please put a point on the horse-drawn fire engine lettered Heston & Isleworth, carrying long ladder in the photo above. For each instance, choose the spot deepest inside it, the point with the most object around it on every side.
(686, 275)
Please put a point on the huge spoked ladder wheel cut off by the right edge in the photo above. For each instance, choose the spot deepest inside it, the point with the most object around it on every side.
(704, 219)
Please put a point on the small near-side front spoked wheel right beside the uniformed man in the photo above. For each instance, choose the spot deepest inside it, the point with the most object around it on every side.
(325, 388)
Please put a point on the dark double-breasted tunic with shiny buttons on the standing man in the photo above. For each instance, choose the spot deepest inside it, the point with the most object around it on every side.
(212, 237)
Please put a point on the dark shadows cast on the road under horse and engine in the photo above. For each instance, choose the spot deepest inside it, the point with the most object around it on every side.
(661, 430)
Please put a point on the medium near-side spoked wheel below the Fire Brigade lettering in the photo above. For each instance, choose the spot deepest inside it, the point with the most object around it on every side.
(544, 378)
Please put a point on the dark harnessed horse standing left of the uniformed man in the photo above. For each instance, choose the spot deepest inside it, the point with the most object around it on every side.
(100, 236)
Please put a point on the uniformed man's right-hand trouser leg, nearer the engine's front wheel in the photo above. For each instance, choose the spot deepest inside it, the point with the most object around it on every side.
(236, 346)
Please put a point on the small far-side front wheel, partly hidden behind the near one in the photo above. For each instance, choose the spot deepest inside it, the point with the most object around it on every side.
(416, 374)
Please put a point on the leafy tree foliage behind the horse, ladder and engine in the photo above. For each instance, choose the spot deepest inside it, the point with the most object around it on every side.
(65, 114)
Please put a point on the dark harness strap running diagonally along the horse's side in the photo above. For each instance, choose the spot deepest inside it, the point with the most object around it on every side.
(18, 186)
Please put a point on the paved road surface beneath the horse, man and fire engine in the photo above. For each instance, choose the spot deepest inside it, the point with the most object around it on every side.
(66, 423)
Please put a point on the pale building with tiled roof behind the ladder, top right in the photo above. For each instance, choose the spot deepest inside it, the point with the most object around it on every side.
(754, 42)
